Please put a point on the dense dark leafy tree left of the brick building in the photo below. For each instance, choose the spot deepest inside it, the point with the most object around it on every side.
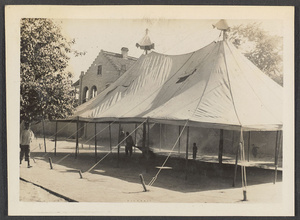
(46, 85)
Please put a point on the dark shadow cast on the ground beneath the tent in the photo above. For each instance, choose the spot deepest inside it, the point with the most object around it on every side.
(201, 176)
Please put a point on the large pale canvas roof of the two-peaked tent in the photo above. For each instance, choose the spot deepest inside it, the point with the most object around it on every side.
(215, 86)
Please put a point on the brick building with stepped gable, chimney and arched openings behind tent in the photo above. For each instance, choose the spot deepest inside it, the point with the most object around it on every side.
(106, 68)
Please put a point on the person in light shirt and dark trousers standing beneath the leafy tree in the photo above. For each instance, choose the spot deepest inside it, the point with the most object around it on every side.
(25, 140)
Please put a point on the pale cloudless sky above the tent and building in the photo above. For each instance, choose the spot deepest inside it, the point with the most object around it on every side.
(170, 36)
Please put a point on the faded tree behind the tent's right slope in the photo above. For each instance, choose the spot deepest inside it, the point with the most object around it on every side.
(263, 49)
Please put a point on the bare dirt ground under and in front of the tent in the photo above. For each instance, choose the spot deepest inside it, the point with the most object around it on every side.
(118, 179)
